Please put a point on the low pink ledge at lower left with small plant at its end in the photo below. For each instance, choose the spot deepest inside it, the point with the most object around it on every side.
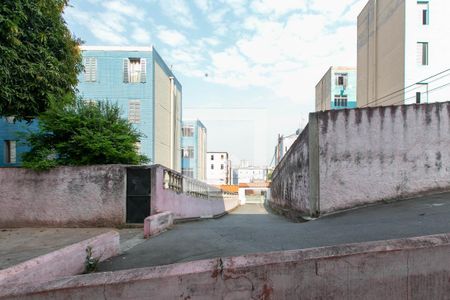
(66, 261)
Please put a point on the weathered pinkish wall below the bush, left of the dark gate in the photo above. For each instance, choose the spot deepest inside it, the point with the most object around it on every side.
(65, 196)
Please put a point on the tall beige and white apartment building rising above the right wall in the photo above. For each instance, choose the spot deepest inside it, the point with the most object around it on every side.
(402, 45)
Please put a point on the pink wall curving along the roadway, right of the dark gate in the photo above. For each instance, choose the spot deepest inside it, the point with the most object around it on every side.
(184, 205)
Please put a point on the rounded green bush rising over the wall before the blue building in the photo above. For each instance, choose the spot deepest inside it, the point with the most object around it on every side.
(83, 133)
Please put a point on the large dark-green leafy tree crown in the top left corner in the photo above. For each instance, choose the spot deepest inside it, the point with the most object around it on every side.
(39, 58)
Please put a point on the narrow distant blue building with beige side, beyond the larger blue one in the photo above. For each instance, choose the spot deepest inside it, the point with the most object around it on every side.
(193, 149)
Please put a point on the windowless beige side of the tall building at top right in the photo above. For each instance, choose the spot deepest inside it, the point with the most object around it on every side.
(381, 53)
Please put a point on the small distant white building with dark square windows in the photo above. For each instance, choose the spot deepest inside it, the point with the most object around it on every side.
(218, 168)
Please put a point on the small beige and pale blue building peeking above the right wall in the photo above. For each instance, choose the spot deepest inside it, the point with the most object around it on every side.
(337, 89)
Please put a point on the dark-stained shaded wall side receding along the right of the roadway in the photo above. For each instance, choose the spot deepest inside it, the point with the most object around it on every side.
(290, 180)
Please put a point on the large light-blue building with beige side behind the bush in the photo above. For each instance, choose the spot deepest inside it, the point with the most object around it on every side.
(147, 91)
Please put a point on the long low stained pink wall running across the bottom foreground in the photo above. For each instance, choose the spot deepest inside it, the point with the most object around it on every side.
(415, 268)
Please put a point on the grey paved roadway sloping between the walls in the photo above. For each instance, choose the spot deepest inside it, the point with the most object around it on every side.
(251, 229)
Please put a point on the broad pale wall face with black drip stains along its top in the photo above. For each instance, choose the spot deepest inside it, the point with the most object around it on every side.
(367, 155)
